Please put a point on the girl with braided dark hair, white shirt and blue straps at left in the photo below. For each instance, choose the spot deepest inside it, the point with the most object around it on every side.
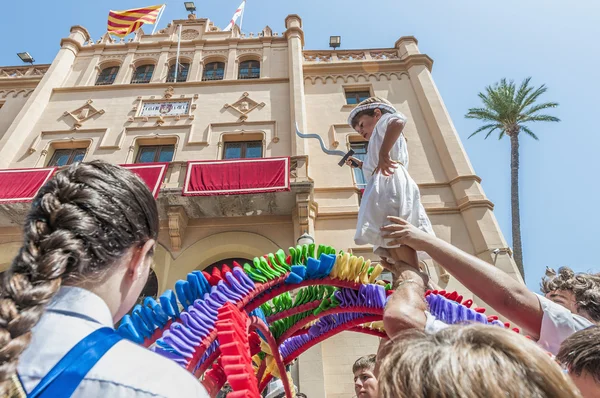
(88, 245)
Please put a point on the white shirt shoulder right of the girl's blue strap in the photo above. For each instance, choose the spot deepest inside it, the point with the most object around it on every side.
(139, 368)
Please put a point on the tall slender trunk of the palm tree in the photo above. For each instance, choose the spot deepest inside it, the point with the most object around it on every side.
(514, 201)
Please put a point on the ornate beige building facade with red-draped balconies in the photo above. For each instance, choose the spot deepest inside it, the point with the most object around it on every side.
(232, 100)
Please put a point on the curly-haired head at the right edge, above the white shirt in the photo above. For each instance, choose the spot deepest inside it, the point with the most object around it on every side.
(579, 293)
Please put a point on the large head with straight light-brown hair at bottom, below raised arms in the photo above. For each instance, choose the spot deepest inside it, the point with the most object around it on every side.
(470, 361)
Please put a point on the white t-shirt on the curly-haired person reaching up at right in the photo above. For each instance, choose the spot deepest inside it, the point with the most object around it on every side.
(558, 323)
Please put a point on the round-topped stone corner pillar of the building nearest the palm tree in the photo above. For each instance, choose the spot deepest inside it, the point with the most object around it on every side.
(474, 206)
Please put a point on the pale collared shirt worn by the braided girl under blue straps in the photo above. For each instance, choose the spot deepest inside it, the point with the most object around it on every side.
(126, 371)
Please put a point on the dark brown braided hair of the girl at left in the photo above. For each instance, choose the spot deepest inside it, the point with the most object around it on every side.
(81, 222)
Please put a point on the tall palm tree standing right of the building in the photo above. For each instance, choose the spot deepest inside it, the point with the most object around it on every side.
(507, 110)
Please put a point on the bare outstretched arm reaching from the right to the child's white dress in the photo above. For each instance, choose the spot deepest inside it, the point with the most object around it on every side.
(509, 297)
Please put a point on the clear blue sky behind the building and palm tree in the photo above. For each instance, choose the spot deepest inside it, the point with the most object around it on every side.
(473, 43)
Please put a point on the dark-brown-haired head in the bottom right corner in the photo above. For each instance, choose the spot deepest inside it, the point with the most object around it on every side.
(580, 354)
